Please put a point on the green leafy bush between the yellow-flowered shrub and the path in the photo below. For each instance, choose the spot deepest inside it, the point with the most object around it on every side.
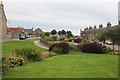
(30, 54)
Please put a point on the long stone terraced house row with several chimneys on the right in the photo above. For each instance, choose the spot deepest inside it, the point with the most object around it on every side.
(92, 33)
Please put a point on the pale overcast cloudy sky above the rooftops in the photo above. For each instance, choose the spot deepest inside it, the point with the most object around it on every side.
(70, 15)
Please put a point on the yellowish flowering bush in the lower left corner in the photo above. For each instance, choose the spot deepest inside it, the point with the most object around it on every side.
(9, 62)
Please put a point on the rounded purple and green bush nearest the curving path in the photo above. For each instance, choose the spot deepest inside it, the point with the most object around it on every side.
(61, 48)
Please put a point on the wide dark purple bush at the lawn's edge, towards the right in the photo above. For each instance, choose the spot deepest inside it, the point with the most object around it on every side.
(90, 48)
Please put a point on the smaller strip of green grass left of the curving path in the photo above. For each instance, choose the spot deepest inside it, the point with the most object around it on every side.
(8, 47)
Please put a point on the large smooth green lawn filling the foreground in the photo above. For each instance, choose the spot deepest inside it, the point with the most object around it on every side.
(73, 65)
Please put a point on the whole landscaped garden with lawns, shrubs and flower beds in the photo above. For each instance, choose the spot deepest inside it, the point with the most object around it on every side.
(66, 58)
